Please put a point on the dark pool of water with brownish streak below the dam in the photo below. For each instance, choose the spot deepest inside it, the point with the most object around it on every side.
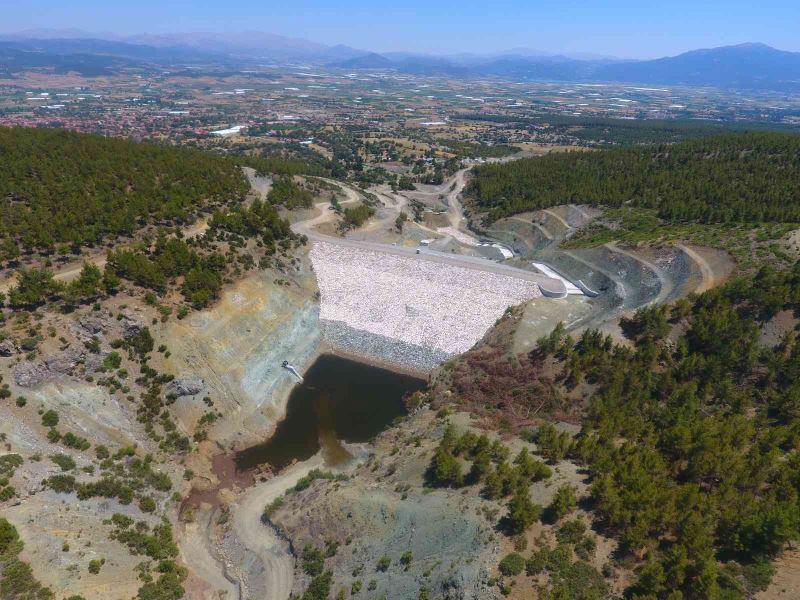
(339, 399)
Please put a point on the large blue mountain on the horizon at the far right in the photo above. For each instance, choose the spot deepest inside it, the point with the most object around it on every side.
(746, 66)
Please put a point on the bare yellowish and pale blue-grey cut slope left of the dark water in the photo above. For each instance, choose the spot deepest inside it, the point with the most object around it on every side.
(237, 347)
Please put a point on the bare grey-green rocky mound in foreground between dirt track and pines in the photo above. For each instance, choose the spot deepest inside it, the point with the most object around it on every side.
(452, 544)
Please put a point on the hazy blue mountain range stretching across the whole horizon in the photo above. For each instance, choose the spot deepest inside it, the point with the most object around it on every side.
(745, 66)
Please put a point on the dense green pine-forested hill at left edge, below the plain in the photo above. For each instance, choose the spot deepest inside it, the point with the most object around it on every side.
(58, 186)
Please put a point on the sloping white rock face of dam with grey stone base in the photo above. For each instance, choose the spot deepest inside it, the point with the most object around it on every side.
(408, 310)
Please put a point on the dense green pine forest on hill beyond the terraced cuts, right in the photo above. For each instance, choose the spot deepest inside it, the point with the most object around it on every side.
(747, 177)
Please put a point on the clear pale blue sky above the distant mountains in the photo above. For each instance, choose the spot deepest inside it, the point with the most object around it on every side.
(625, 28)
